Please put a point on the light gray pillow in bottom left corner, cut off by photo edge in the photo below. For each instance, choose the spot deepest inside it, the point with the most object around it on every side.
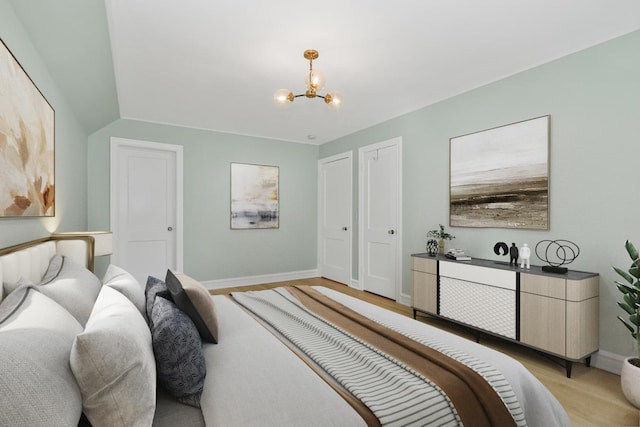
(37, 387)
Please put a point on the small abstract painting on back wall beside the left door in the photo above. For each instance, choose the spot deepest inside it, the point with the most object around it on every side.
(255, 196)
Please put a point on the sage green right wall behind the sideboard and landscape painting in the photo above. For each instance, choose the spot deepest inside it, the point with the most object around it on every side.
(593, 98)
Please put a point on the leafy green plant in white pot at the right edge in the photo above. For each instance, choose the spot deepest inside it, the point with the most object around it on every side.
(630, 289)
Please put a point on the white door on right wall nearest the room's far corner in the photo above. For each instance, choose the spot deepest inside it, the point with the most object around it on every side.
(334, 204)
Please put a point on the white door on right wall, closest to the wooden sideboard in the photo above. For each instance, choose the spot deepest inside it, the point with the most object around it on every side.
(380, 218)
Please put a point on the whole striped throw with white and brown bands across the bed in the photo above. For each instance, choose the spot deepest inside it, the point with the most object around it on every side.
(391, 379)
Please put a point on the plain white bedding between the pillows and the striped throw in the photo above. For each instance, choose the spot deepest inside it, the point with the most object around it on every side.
(255, 380)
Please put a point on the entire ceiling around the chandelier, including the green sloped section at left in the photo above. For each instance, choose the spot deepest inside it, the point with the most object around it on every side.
(216, 64)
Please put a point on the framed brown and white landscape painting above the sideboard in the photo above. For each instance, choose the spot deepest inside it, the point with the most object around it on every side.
(499, 177)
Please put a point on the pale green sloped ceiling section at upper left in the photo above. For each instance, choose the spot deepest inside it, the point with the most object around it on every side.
(72, 36)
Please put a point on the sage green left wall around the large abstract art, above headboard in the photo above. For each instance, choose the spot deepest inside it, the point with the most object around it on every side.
(70, 145)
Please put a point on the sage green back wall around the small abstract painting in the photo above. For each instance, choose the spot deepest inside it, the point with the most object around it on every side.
(211, 249)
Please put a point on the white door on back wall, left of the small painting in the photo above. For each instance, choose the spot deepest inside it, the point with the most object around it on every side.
(146, 207)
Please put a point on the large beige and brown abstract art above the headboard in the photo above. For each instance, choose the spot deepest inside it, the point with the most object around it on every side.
(27, 147)
